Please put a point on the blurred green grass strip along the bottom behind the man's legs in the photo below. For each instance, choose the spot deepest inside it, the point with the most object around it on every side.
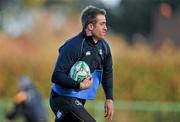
(124, 111)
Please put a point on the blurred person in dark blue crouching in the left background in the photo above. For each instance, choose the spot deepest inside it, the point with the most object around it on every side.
(28, 103)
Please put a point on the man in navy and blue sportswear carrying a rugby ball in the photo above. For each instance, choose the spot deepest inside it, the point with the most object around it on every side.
(68, 96)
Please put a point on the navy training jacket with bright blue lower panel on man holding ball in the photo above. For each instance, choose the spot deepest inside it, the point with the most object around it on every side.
(97, 56)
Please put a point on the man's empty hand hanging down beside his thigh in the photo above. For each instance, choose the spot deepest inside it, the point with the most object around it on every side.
(109, 109)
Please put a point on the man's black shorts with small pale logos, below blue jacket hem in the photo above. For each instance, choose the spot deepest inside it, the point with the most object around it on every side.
(69, 109)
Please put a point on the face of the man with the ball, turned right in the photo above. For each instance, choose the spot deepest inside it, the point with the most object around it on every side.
(100, 29)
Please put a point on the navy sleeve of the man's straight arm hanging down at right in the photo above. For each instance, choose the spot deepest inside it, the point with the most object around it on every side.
(107, 80)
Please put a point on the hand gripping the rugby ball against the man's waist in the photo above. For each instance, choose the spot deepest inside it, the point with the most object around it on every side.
(86, 83)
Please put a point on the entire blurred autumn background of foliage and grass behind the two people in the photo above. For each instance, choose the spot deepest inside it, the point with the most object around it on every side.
(144, 39)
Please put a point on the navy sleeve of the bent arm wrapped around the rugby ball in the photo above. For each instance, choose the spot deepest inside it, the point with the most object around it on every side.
(65, 60)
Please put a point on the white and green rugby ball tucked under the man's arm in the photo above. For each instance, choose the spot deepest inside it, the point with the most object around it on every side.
(79, 71)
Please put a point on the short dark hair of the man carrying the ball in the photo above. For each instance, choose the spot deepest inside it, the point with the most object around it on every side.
(88, 15)
